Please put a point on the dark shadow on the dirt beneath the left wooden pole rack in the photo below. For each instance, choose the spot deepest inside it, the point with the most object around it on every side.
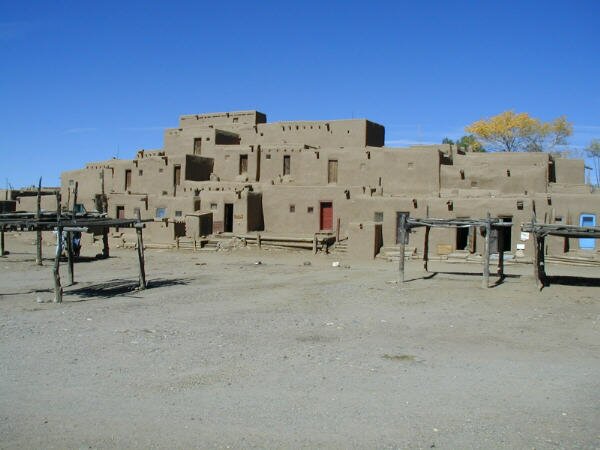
(120, 287)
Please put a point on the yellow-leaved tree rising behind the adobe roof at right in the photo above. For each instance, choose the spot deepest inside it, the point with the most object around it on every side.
(512, 132)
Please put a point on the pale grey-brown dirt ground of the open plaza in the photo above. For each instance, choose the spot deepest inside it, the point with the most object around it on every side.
(221, 352)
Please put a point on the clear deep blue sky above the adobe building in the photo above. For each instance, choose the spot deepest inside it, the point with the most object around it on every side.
(83, 81)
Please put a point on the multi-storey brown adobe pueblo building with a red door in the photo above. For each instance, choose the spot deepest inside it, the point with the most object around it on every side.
(234, 174)
